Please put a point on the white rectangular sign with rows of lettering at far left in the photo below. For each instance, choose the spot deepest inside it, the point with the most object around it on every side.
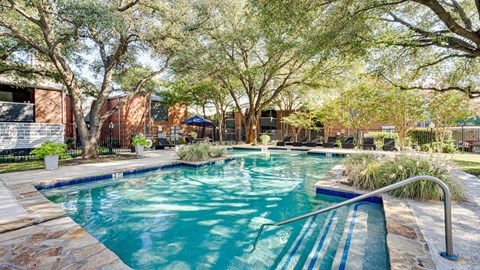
(28, 135)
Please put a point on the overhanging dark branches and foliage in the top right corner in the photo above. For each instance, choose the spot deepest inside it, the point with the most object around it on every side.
(433, 40)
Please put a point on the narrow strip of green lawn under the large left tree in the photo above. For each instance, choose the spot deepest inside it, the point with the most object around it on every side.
(33, 165)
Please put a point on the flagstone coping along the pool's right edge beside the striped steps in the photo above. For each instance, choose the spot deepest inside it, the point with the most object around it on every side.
(406, 244)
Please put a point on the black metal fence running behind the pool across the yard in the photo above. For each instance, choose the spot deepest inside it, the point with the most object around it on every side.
(117, 138)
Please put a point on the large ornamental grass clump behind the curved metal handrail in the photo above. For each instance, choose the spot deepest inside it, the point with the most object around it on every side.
(367, 171)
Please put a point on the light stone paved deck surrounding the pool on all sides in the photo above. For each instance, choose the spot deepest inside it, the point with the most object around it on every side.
(37, 234)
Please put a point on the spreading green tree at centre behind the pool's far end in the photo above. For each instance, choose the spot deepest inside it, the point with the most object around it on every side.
(269, 46)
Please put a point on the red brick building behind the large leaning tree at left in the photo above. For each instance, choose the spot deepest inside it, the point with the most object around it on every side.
(31, 114)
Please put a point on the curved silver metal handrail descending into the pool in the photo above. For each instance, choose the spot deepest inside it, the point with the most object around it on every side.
(446, 203)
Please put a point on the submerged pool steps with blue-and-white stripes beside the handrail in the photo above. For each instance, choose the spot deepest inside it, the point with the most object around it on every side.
(333, 241)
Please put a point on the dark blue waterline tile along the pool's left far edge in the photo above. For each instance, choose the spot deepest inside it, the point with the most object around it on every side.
(125, 173)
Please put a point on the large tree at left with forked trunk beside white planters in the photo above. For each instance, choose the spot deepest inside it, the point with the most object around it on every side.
(103, 39)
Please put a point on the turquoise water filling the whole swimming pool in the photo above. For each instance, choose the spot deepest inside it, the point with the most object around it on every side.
(207, 218)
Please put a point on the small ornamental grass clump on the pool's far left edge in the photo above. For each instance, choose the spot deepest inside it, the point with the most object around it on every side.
(199, 152)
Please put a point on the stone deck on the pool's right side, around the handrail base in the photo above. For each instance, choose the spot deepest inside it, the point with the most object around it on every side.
(415, 230)
